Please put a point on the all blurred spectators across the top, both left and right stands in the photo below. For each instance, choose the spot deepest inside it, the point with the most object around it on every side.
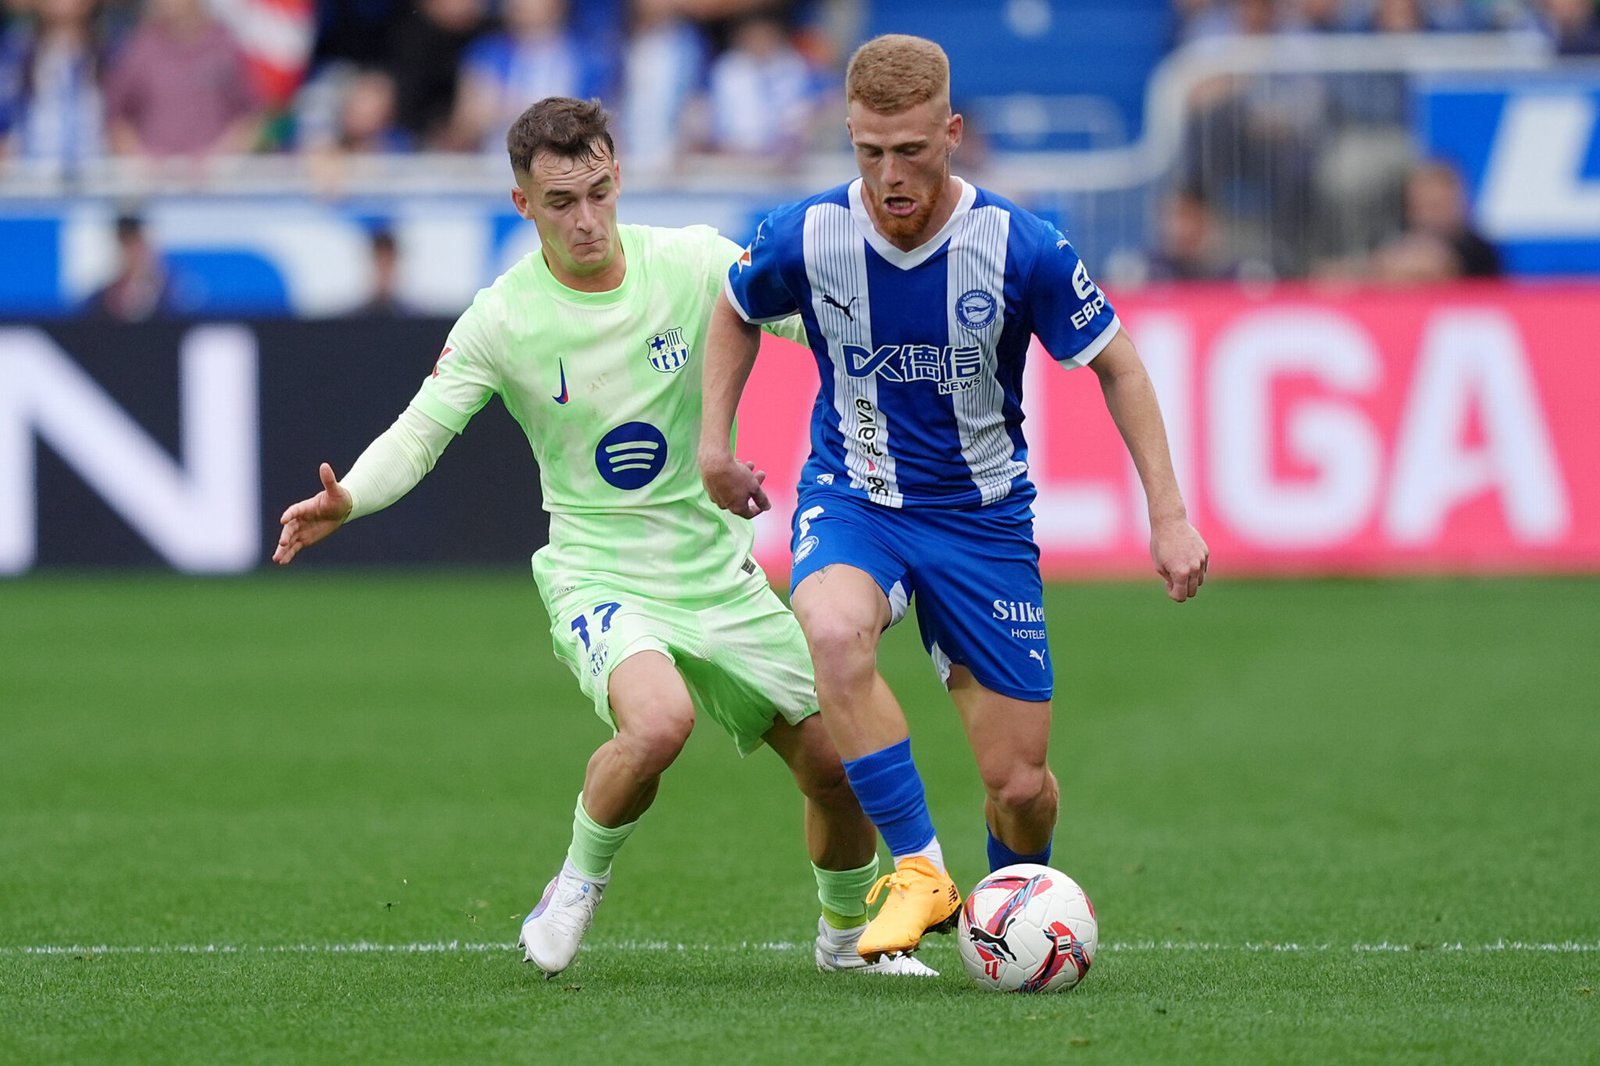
(1281, 175)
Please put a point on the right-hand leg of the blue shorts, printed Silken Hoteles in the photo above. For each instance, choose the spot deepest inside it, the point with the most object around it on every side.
(982, 604)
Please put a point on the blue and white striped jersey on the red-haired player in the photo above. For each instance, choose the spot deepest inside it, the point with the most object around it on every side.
(921, 353)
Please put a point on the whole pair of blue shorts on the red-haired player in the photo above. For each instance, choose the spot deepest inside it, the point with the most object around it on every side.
(972, 574)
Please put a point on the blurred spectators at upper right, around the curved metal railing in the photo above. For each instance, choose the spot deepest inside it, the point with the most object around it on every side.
(1319, 175)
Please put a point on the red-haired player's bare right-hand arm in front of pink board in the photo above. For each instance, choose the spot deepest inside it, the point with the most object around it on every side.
(1180, 555)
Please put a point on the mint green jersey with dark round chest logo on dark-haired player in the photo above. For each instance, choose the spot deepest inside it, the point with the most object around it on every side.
(607, 387)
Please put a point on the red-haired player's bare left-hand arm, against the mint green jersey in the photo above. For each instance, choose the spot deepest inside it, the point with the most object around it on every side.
(732, 347)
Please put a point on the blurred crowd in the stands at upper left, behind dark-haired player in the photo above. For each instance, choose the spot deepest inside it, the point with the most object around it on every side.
(191, 79)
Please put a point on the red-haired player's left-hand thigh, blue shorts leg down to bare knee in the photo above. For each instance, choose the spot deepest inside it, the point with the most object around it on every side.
(847, 566)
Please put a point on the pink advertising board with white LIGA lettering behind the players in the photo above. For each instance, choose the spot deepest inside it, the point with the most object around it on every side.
(1313, 431)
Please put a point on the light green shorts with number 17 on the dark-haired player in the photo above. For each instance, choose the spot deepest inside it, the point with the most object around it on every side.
(745, 662)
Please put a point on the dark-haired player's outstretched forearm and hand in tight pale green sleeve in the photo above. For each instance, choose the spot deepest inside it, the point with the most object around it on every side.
(391, 467)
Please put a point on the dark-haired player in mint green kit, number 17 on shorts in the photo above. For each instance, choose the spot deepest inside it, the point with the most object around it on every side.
(594, 345)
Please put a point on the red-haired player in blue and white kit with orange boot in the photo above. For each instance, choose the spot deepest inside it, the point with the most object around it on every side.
(921, 295)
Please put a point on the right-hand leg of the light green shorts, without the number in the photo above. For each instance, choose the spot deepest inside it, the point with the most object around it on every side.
(756, 671)
